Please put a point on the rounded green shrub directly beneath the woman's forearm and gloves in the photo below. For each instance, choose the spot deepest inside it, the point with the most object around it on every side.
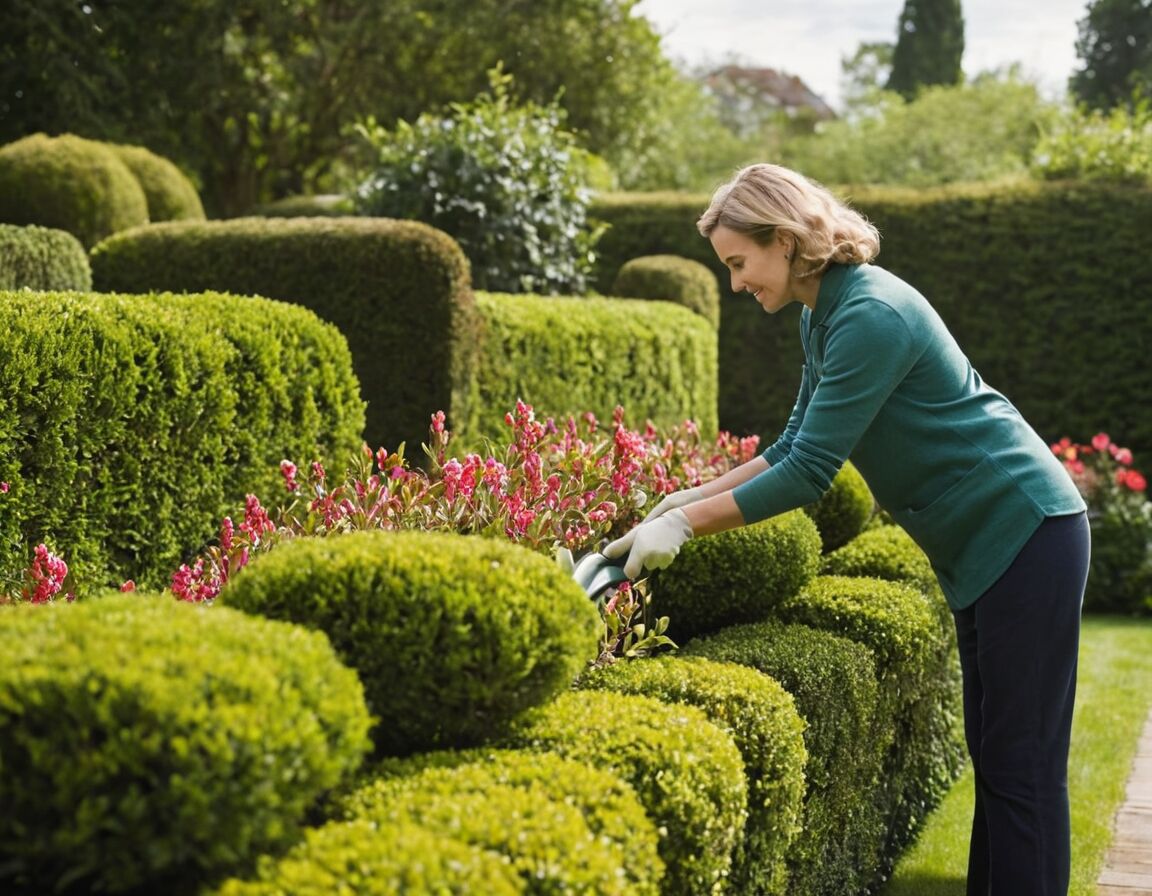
(737, 576)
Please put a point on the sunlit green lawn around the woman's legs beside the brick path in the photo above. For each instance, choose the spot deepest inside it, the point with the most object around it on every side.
(1113, 701)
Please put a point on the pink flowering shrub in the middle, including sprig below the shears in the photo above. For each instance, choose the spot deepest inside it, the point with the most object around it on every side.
(555, 489)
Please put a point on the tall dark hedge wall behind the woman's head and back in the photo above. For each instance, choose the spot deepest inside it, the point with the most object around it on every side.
(1044, 286)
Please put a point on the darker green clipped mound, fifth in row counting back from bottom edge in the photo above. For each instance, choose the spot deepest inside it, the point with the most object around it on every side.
(833, 682)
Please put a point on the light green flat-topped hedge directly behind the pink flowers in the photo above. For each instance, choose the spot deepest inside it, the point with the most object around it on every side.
(566, 355)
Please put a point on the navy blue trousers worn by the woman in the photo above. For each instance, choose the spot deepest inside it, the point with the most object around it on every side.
(1019, 644)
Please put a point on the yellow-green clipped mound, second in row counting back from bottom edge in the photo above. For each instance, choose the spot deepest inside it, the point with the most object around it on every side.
(565, 826)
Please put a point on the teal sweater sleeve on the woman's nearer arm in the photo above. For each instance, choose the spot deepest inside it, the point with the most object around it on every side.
(867, 354)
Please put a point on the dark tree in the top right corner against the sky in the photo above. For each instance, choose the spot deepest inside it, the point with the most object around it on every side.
(1116, 48)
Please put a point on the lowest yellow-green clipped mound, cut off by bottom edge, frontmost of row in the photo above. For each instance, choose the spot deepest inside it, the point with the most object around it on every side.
(373, 860)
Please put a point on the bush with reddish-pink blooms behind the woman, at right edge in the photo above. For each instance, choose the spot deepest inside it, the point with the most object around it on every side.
(1120, 515)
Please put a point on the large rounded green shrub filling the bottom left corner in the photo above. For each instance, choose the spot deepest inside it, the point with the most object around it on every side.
(149, 746)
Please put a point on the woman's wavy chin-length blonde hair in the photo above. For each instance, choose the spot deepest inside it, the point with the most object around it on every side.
(762, 201)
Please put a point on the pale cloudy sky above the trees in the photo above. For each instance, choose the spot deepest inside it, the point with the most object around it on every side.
(810, 37)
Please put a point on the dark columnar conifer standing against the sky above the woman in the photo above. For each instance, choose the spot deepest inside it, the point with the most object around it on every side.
(930, 45)
